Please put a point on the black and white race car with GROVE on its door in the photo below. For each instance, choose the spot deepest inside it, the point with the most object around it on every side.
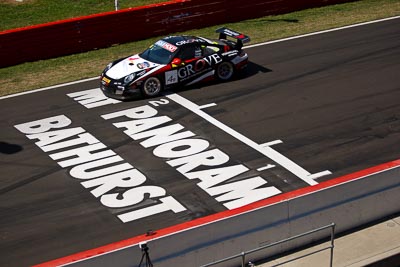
(175, 61)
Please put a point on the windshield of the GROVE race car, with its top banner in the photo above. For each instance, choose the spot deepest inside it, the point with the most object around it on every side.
(161, 52)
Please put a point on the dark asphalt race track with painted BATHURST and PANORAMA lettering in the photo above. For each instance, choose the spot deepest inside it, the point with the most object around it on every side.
(319, 107)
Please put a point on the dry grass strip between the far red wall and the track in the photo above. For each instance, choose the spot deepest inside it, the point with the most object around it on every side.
(44, 73)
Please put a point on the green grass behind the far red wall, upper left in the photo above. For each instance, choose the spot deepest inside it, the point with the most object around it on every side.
(16, 14)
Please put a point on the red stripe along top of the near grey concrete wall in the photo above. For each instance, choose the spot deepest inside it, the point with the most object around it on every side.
(221, 215)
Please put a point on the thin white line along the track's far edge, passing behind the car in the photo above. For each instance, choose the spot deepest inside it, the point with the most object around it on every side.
(246, 47)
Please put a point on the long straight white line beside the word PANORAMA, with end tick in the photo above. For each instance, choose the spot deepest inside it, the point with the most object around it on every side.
(263, 149)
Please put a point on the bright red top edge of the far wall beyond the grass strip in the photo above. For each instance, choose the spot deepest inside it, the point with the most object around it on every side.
(91, 16)
